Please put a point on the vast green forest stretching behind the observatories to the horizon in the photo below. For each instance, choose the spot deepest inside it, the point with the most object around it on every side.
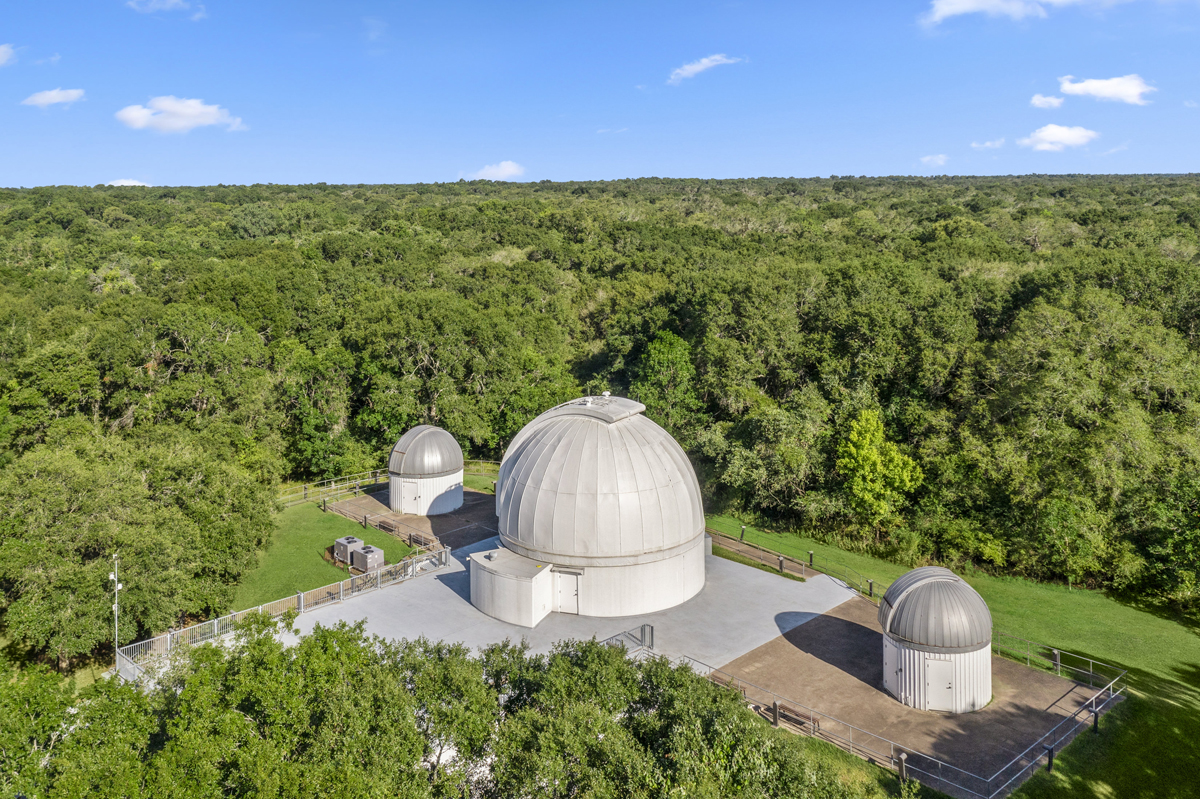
(999, 373)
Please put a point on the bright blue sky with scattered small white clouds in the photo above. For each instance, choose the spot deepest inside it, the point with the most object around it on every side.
(243, 92)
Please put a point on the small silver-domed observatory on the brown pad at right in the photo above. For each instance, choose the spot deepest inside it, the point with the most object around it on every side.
(937, 642)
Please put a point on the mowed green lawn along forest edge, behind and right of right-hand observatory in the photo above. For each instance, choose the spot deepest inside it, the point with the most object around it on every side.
(1150, 743)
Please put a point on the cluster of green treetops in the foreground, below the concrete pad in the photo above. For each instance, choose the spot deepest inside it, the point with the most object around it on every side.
(351, 717)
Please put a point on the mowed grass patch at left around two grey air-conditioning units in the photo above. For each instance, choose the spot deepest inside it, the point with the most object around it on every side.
(293, 561)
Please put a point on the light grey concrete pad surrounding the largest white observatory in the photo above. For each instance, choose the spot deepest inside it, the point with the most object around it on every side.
(740, 610)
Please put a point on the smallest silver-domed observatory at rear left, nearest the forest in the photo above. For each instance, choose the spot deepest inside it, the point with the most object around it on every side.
(425, 473)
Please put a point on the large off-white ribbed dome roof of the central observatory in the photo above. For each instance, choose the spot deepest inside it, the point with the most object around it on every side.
(596, 483)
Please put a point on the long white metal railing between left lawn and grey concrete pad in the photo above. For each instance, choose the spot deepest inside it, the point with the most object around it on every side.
(134, 659)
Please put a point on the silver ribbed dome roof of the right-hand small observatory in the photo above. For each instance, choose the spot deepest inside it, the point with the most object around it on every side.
(934, 610)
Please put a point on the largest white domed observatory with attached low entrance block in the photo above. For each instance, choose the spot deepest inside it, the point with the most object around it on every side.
(599, 515)
